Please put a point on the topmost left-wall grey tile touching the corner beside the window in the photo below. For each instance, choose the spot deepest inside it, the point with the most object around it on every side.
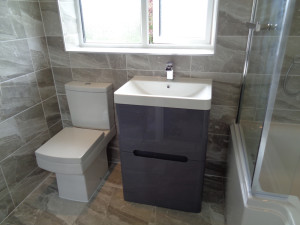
(31, 19)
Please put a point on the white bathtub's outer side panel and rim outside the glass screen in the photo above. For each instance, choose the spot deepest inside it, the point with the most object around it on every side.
(245, 208)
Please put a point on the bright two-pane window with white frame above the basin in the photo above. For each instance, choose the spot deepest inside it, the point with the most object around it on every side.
(148, 24)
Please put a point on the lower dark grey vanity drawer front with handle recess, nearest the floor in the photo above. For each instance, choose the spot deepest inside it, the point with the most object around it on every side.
(162, 180)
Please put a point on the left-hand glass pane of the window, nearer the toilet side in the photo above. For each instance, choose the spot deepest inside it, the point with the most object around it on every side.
(112, 21)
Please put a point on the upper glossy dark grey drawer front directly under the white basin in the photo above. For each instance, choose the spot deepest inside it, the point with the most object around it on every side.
(163, 130)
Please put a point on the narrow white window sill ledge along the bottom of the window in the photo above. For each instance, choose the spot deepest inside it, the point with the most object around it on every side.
(154, 51)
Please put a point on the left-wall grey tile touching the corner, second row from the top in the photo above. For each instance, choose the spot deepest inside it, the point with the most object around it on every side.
(39, 53)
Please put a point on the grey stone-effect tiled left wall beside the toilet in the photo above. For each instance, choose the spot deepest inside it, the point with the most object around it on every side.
(26, 81)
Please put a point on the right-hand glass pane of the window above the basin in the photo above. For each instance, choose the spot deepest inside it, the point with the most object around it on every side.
(181, 22)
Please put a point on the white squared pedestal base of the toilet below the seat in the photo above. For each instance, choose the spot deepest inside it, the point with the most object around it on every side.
(81, 187)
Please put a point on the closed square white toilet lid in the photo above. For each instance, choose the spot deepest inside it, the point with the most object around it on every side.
(70, 145)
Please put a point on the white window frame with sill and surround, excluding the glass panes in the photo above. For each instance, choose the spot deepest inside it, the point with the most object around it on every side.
(188, 49)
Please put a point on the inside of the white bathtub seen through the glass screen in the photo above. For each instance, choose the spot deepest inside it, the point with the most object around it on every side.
(280, 171)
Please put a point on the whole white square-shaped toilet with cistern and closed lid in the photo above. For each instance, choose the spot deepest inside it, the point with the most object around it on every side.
(78, 154)
